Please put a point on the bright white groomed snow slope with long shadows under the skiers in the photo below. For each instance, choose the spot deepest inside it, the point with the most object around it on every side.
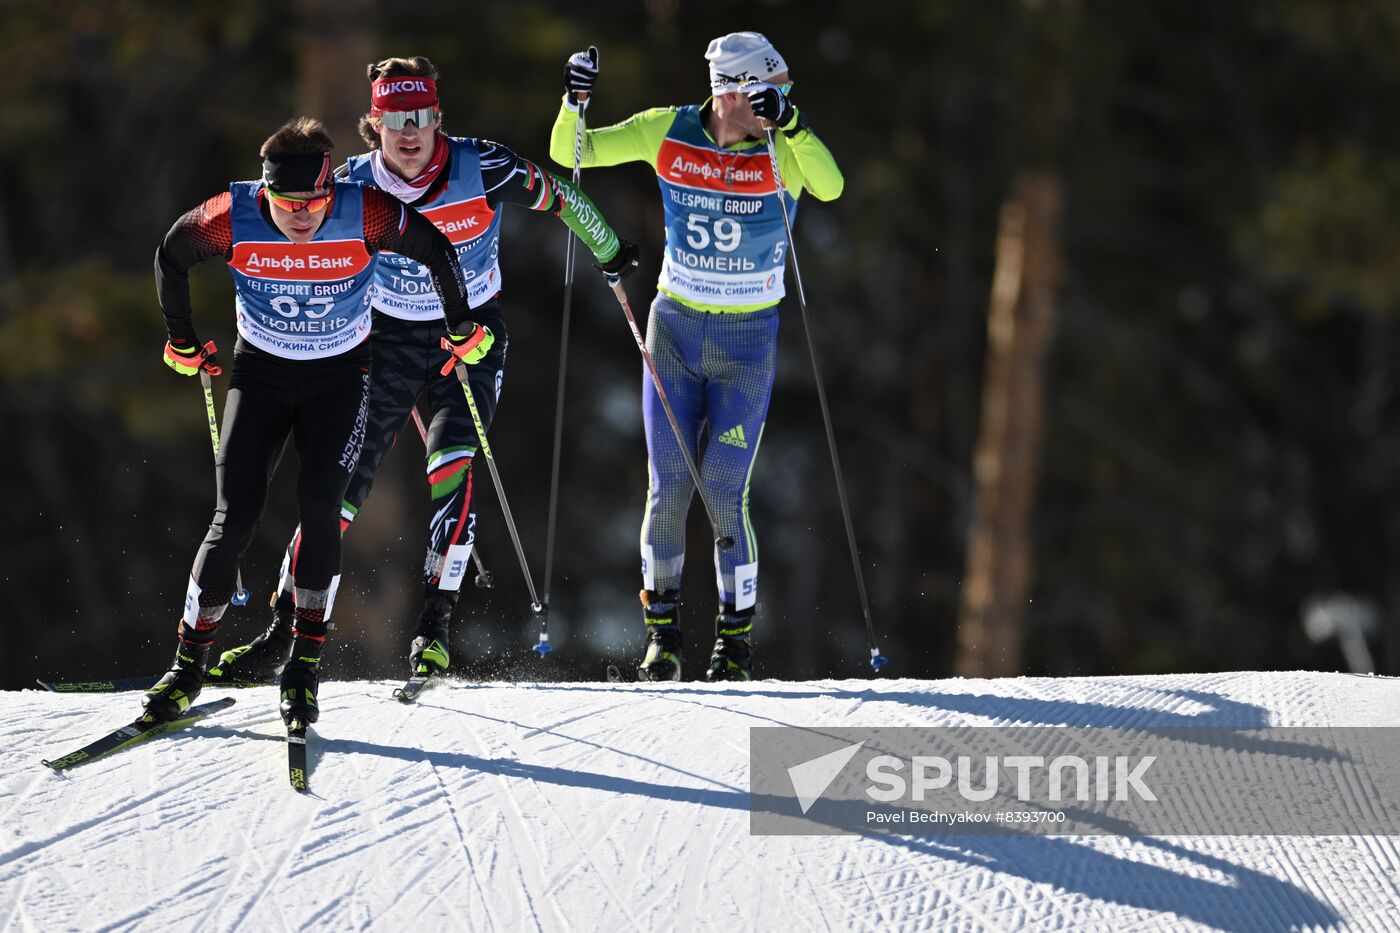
(601, 806)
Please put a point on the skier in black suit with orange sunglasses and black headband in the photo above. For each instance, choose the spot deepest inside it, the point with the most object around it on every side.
(302, 249)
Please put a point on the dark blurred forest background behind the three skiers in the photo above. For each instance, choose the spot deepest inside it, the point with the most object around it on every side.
(1108, 317)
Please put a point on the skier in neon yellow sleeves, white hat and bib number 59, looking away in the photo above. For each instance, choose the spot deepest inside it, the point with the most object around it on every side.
(713, 324)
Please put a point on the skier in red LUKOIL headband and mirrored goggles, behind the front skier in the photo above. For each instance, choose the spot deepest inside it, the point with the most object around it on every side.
(461, 186)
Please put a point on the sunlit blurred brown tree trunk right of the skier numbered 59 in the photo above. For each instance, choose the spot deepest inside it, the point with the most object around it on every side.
(1007, 462)
